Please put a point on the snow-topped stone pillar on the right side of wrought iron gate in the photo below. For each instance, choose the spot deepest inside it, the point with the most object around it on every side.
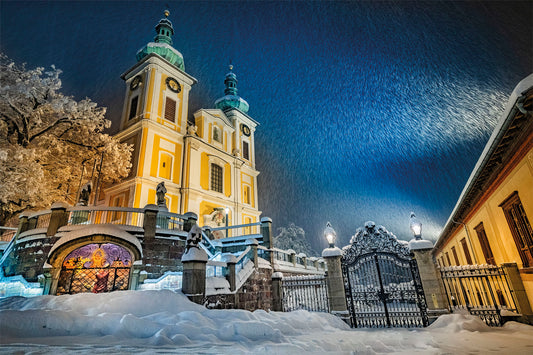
(436, 299)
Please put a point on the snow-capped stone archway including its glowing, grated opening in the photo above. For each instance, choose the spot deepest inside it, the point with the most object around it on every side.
(93, 260)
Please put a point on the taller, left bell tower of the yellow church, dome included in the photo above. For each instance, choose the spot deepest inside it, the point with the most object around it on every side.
(154, 121)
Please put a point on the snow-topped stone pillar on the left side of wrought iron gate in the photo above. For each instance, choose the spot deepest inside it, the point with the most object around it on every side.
(335, 283)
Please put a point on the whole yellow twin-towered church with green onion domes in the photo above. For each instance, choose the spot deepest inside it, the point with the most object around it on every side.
(207, 167)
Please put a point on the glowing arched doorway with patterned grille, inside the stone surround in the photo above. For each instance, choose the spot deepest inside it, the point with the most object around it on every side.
(95, 267)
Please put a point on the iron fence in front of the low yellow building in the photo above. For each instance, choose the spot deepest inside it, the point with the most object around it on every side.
(483, 290)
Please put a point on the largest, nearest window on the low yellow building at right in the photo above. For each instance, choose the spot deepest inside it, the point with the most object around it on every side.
(520, 227)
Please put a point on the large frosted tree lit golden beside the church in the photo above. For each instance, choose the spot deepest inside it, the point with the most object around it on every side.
(49, 142)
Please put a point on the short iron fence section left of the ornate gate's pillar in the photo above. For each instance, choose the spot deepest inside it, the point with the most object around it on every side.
(305, 292)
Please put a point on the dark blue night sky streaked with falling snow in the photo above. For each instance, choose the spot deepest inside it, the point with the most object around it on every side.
(368, 110)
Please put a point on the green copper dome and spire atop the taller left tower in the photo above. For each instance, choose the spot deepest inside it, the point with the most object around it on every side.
(162, 44)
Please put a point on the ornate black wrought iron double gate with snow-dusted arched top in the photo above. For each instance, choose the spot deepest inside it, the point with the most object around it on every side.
(382, 283)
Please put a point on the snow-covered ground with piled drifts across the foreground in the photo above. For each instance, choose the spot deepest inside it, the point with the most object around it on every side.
(150, 322)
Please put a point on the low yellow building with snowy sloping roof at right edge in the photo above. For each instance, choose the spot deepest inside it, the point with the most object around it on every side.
(491, 222)
